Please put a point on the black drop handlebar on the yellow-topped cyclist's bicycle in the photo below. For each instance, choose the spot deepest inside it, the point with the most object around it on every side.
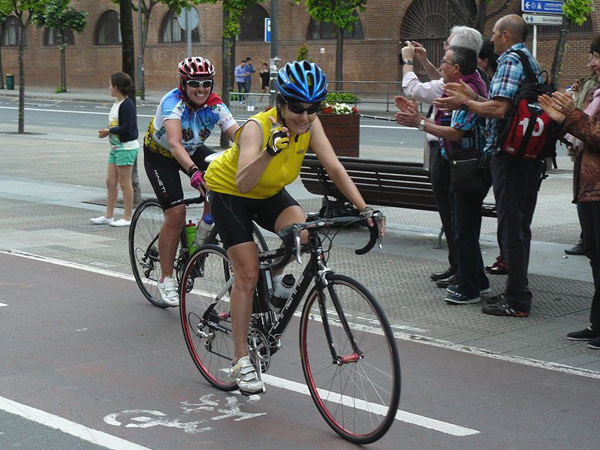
(290, 235)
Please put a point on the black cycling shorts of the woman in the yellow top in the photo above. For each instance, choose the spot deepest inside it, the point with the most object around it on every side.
(233, 215)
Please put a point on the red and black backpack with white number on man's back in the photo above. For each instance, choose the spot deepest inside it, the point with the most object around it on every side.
(527, 131)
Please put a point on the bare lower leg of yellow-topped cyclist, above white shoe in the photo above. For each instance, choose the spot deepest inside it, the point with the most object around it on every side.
(244, 259)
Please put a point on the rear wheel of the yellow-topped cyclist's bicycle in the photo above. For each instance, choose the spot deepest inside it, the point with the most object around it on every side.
(205, 316)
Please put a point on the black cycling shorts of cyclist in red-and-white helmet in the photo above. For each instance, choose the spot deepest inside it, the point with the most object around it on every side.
(163, 174)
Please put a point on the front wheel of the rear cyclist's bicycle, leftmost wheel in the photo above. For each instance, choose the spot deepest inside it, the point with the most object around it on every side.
(145, 226)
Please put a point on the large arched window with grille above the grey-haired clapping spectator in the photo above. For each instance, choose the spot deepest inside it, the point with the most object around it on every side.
(427, 22)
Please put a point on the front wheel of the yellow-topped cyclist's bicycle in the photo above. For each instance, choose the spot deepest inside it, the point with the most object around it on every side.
(350, 360)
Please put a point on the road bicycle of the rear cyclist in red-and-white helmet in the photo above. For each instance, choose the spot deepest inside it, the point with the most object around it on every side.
(146, 224)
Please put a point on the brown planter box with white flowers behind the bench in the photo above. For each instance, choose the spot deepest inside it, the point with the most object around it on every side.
(341, 123)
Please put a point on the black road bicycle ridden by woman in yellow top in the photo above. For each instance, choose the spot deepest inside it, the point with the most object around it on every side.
(348, 352)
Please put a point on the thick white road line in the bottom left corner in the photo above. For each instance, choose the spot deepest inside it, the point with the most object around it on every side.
(66, 426)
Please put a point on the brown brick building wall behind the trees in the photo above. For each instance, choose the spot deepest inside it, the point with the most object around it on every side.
(371, 50)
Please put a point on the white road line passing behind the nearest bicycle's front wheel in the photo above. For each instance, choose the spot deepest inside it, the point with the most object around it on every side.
(403, 416)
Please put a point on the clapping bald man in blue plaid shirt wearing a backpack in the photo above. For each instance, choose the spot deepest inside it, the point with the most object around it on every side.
(515, 181)
